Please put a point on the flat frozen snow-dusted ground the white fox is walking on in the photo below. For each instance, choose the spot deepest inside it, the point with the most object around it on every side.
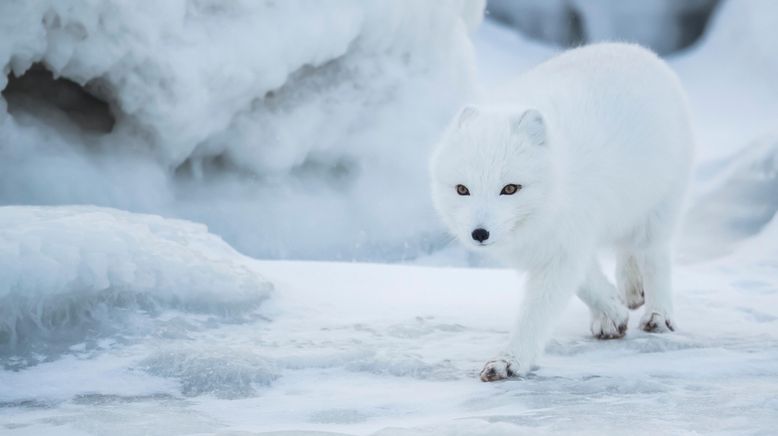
(360, 349)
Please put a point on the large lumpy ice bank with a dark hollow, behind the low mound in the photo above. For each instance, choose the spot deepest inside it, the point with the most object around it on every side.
(269, 121)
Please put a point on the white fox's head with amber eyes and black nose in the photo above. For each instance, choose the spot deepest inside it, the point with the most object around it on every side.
(491, 174)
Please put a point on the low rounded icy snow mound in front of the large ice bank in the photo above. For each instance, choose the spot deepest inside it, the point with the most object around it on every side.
(71, 275)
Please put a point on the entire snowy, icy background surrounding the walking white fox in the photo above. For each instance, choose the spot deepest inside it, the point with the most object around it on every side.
(177, 178)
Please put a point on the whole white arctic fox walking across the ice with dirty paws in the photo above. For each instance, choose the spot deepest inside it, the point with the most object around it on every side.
(589, 150)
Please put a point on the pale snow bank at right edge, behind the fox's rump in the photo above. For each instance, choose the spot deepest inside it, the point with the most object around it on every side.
(730, 76)
